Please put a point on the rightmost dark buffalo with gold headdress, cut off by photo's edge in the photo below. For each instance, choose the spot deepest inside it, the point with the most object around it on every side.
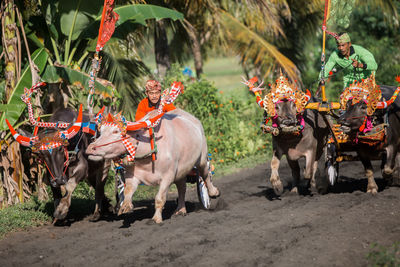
(365, 109)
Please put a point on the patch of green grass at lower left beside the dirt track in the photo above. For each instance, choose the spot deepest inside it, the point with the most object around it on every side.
(21, 216)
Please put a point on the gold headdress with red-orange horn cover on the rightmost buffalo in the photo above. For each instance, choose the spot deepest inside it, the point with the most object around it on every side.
(369, 92)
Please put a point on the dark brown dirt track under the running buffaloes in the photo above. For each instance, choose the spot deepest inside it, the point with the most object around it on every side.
(247, 228)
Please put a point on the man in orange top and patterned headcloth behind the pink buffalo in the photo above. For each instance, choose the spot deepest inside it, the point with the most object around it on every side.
(152, 101)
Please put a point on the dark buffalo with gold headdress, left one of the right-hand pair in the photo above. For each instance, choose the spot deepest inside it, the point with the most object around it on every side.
(296, 132)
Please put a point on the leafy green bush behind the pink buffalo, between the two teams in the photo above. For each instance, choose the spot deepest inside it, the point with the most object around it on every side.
(231, 126)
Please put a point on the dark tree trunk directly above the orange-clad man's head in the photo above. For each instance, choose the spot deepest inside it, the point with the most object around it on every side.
(161, 49)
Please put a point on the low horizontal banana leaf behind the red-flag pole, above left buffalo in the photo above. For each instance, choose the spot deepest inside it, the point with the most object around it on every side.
(53, 74)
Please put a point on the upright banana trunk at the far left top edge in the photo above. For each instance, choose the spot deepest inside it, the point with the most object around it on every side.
(10, 47)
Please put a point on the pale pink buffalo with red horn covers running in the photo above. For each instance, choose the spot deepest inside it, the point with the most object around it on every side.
(181, 145)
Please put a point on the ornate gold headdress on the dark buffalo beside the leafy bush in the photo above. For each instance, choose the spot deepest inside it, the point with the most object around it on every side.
(282, 90)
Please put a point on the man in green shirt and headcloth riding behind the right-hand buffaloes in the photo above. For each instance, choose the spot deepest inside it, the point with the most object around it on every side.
(357, 63)
